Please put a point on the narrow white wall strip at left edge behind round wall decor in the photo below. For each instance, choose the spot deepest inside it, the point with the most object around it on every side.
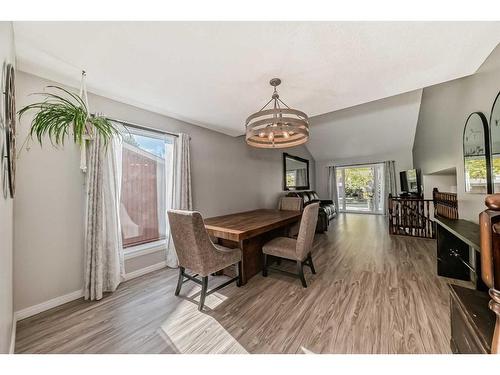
(6, 288)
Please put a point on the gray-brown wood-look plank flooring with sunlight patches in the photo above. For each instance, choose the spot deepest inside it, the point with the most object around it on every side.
(373, 293)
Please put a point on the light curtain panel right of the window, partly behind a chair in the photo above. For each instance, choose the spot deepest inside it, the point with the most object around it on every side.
(182, 193)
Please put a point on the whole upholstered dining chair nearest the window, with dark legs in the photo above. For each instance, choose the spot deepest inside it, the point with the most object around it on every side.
(198, 253)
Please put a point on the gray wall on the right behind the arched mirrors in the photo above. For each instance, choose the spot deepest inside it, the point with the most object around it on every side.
(443, 112)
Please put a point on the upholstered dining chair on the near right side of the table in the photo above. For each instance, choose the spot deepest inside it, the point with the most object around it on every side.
(298, 249)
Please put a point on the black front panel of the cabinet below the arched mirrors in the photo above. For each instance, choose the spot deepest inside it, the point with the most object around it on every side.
(449, 264)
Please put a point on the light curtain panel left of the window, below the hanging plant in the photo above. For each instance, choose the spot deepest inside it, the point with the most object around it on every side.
(104, 267)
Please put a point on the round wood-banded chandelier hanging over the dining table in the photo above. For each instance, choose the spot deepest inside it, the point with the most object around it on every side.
(279, 126)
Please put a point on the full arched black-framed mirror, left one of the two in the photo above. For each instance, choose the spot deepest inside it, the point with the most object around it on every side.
(477, 155)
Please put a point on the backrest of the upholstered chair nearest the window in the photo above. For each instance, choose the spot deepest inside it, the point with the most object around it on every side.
(192, 244)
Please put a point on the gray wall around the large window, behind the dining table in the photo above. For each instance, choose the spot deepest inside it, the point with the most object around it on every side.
(227, 176)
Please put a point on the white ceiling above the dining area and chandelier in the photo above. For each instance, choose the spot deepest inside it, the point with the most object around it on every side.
(214, 74)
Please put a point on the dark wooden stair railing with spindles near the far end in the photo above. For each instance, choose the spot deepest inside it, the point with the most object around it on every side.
(411, 217)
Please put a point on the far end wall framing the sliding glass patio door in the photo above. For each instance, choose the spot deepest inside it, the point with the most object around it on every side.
(402, 158)
